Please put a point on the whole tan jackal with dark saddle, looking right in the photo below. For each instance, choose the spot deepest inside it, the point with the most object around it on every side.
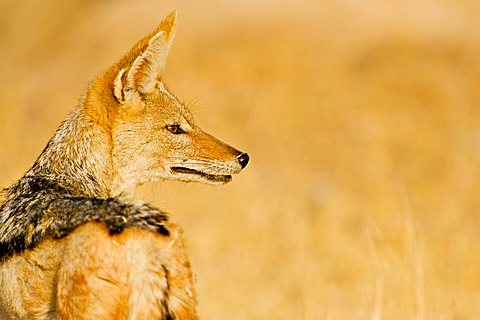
(73, 245)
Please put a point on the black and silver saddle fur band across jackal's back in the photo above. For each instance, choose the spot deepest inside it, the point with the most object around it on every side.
(38, 207)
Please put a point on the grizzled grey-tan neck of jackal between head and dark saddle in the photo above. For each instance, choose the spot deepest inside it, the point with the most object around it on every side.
(78, 156)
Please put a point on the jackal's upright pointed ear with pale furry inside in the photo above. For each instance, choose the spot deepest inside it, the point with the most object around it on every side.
(150, 64)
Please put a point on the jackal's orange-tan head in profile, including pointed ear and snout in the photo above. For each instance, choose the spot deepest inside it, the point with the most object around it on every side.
(153, 135)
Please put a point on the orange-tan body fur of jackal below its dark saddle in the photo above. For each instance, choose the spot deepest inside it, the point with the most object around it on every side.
(127, 273)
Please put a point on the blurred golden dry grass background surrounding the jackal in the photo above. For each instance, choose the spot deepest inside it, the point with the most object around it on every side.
(362, 119)
